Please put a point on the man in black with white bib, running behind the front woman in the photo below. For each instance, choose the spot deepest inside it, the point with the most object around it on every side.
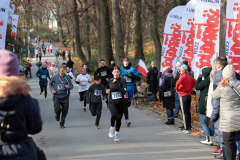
(104, 72)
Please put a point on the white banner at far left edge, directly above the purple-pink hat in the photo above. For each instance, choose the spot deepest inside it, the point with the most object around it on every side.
(4, 6)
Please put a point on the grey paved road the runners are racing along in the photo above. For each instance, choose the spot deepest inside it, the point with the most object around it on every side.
(147, 138)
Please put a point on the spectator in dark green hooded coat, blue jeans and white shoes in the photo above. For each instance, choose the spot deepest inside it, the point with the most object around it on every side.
(203, 86)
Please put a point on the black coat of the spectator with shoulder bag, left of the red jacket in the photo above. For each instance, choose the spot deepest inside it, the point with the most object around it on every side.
(168, 84)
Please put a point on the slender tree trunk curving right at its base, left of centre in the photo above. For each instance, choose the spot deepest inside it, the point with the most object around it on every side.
(77, 33)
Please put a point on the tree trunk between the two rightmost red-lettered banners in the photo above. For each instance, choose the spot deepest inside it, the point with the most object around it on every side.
(222, 45)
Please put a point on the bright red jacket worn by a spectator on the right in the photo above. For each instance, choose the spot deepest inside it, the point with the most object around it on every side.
(185, 84)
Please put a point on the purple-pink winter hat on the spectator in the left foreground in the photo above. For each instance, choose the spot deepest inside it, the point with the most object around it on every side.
(9, 65)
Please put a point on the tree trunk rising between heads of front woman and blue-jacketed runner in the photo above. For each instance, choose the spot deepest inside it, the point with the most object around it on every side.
(119, 46)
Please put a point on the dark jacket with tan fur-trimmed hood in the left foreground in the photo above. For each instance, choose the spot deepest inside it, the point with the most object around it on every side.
(24, 120)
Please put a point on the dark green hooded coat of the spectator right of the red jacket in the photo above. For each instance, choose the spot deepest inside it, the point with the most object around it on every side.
(203, 86)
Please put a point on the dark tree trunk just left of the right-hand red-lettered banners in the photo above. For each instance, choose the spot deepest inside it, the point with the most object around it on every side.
(155, 34)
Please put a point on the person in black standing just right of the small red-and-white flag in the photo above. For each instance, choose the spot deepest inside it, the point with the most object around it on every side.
(152, 80)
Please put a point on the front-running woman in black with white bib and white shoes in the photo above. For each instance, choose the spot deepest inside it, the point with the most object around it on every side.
(116, 89)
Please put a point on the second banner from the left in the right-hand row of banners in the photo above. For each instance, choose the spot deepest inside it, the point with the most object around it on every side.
(186, 47)
